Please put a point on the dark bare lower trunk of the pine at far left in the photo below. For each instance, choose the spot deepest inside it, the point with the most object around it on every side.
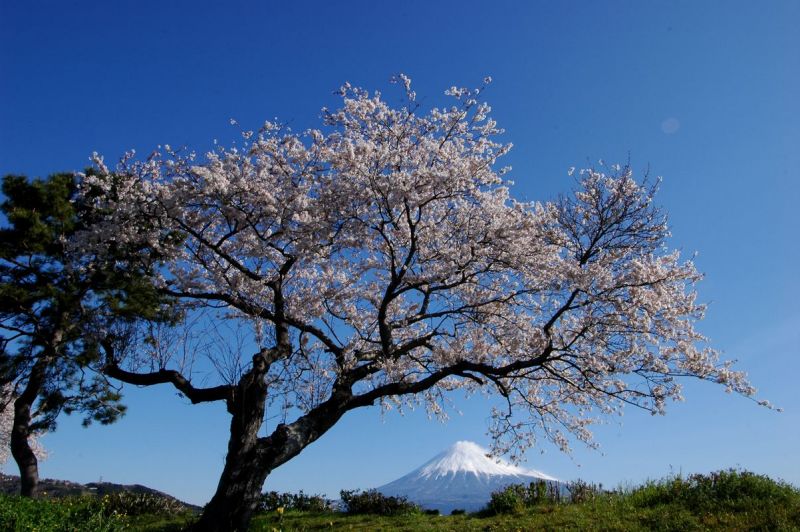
(20, 431)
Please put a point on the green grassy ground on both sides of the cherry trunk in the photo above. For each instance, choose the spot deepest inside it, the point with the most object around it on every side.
(727, 500)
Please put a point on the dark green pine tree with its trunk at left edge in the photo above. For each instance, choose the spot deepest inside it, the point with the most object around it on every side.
(56, 306)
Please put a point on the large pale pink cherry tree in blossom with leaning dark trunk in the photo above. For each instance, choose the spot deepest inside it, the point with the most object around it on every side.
(382, 259)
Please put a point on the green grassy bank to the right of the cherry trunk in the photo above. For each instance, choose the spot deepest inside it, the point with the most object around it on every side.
(726, 500)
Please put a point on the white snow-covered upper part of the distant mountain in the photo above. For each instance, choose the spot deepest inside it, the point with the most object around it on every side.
(469, 457)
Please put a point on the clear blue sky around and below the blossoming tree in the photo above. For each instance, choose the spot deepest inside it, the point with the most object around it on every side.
(702, 93)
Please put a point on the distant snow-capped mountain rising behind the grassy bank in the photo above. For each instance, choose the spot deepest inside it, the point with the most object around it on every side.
(462, 477)
